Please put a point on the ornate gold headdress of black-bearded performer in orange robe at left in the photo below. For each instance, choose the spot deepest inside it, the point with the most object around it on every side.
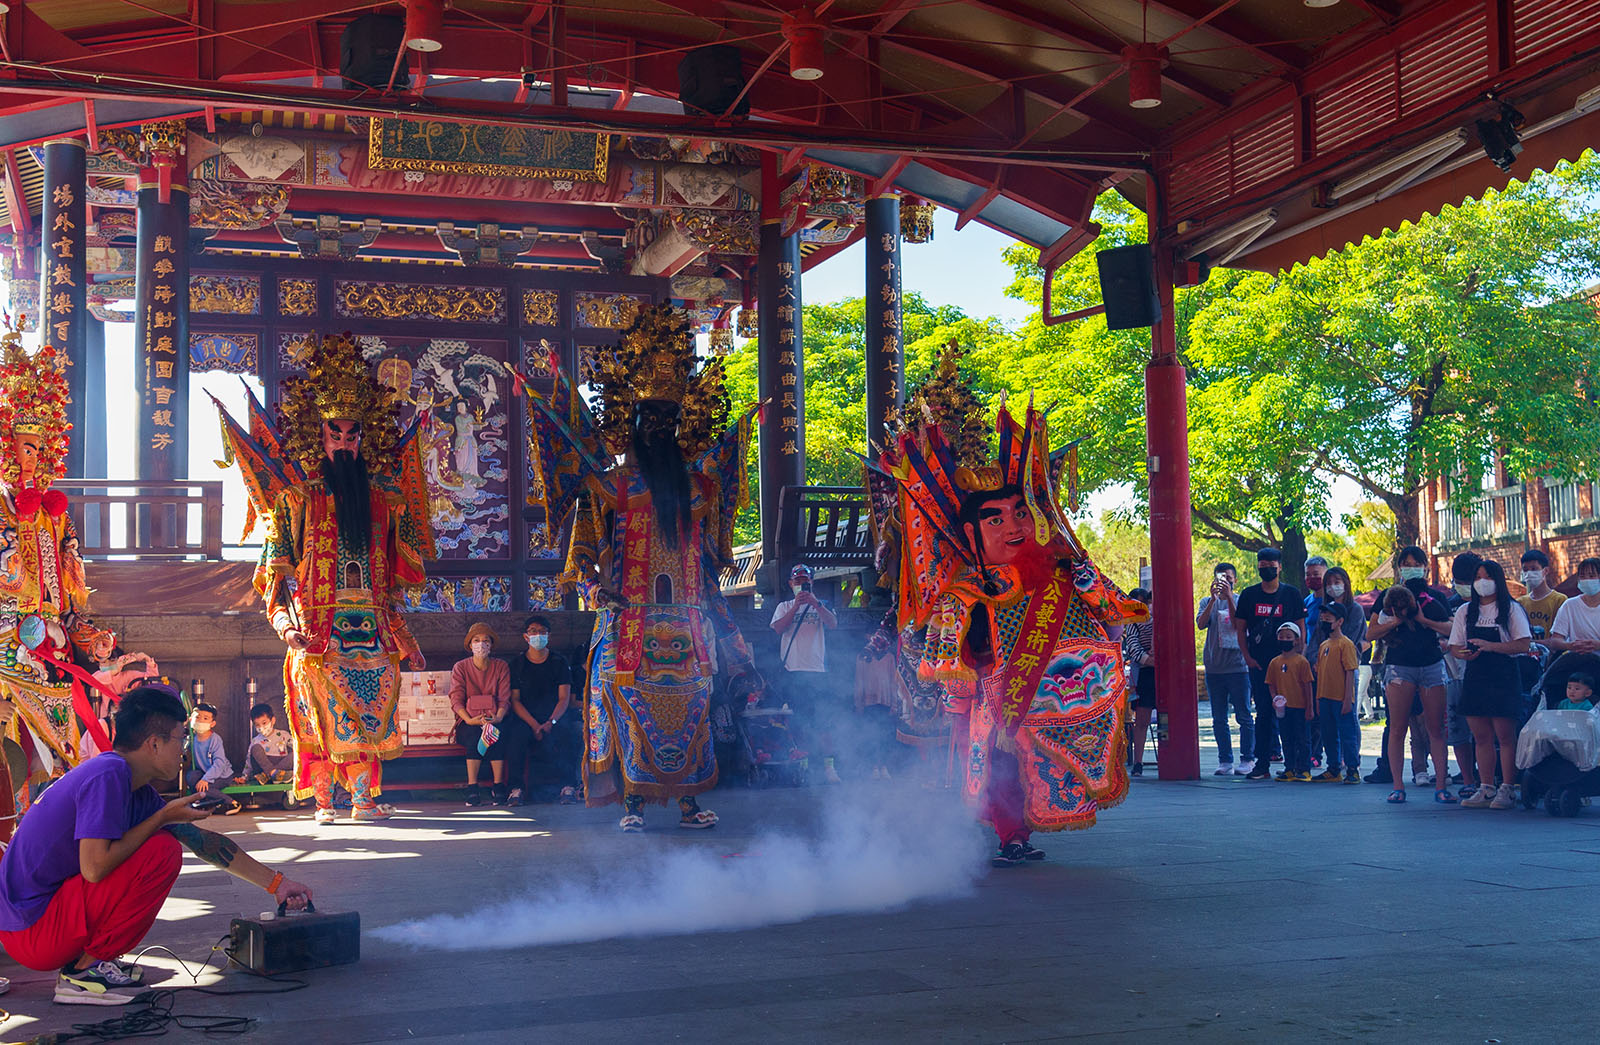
(338, 386)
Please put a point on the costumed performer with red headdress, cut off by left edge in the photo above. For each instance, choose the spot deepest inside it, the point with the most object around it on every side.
(44, 596)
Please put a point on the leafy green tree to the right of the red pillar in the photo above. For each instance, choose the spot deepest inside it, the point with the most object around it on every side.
(1423, 351)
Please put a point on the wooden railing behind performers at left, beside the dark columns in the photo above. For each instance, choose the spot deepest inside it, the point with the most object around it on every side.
(140, 519)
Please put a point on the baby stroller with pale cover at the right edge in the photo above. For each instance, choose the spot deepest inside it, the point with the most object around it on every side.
(1559, 751)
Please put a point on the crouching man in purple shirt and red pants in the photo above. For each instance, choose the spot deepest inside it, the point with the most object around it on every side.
(95, 859)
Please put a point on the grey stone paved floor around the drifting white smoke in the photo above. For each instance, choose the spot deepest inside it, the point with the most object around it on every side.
(1217, 911)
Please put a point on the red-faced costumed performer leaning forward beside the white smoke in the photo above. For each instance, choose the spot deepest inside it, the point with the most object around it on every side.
(1017, 617)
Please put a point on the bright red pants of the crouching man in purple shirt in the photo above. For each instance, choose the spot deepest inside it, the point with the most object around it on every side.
(103, 919)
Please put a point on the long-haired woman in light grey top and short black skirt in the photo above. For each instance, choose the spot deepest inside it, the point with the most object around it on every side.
(1489, 633)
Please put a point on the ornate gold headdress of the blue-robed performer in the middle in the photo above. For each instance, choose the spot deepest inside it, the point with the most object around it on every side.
(655, 362)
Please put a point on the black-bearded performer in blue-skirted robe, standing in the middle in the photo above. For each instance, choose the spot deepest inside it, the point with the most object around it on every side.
(649, 489)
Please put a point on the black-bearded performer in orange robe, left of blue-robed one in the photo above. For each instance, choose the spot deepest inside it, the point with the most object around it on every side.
(348, 529)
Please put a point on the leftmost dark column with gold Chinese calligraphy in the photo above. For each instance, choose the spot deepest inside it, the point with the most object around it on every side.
(62, 308)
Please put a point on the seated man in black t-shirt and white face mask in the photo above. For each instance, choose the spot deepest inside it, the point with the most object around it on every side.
(542, 719)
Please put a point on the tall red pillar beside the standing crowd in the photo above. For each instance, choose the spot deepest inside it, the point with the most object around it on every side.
(1172, 553)
